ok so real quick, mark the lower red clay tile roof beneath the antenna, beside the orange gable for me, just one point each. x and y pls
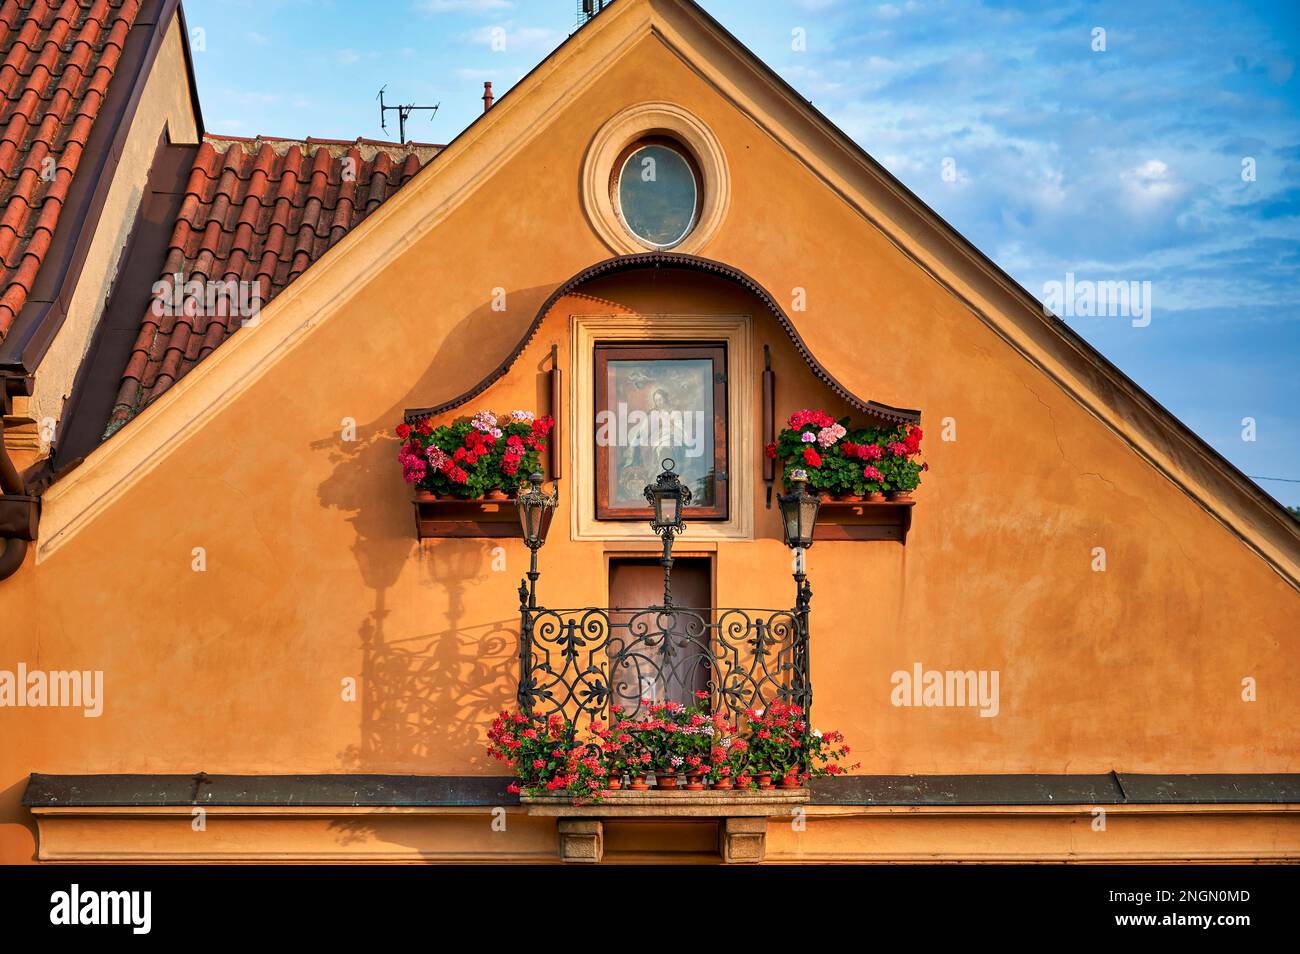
(255, 211)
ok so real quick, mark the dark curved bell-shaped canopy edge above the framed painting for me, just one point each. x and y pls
(691, 263)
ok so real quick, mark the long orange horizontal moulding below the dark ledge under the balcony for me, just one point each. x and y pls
(834, 834)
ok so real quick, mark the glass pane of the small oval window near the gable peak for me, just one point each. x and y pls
(657, 196)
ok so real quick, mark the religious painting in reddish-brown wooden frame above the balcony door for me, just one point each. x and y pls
(660, 405)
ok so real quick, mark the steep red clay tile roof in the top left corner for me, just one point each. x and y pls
(59, 58)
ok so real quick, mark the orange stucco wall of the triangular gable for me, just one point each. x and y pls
(314, 574)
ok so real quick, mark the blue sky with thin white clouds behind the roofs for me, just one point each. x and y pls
(1119, 164)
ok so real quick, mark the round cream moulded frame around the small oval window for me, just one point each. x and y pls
(631, 129)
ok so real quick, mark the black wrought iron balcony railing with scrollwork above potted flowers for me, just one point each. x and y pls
(582, 662)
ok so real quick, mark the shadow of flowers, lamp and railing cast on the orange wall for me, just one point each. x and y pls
(427, 700)
